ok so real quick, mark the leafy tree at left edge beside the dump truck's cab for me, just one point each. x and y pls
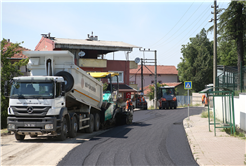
(7, 71)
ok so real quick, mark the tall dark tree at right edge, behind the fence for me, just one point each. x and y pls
(231, 28)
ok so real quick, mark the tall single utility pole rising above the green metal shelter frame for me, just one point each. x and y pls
(215, 42)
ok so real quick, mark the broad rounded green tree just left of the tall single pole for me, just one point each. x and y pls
(197, 61)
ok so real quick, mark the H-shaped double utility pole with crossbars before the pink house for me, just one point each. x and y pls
(155, 62)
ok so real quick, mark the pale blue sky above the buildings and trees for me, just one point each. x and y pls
(163, 25)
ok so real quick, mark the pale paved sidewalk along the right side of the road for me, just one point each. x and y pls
(208, 149)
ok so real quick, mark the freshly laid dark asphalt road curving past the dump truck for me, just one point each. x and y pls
(156, 137)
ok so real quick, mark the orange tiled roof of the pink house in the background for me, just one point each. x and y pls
(161, 69)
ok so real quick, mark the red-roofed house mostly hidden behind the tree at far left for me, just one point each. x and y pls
(17, 57)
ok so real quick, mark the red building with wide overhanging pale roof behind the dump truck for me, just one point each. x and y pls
(90, 56)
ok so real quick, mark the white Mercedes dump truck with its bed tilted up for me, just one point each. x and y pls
(58, 98)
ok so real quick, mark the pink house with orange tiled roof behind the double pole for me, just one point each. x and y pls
(165, 74)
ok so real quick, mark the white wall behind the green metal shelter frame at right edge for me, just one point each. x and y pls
(239, 110)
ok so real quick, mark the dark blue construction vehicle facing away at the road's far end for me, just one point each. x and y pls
(167, 98)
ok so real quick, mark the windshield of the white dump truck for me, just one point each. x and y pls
(32, 90)
